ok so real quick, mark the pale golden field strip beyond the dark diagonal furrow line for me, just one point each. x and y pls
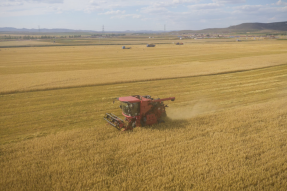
(35, 68)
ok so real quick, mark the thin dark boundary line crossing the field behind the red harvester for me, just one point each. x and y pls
(135, 81)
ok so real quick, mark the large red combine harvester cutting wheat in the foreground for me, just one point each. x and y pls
(138, 112)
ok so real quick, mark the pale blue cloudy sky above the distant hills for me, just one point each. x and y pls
(122, 15)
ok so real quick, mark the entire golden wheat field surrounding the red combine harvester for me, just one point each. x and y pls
(226, 129)
